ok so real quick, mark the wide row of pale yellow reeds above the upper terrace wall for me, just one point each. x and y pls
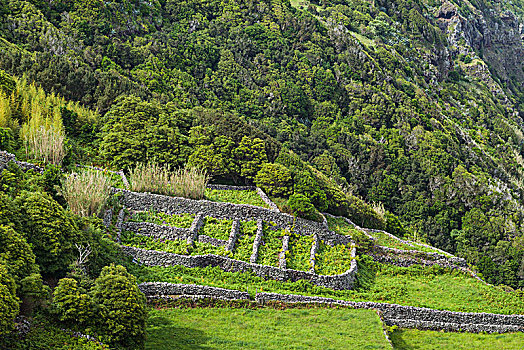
(184, 182)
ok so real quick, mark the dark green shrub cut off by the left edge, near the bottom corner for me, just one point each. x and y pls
(8, 301)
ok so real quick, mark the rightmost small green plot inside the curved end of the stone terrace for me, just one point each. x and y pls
(332, 260)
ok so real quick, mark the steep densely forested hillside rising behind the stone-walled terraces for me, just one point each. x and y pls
(413, 104)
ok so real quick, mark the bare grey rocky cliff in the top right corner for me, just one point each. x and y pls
(491, 38)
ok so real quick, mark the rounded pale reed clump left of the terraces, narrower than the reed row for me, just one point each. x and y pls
(86, 192)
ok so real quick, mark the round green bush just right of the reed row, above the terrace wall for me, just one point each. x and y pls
(275, 180)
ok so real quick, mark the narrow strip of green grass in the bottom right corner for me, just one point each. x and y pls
(415, 339)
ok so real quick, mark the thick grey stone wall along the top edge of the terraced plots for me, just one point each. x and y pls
(178, 205)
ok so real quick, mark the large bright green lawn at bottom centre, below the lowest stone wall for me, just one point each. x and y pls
(226, 328)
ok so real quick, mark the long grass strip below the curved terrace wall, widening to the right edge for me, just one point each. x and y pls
(424, 287)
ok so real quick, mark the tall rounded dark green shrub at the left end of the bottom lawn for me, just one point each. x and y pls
(120, 308)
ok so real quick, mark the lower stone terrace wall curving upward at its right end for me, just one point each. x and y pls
(157, 258)
